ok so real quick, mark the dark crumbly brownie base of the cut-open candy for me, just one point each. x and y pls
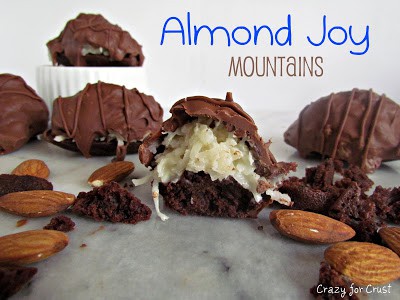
(197, 194)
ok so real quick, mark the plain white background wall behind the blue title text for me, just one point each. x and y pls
(175, 71)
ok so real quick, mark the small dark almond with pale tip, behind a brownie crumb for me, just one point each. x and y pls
(115, 171)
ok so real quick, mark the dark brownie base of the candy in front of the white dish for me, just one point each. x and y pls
(98, 148)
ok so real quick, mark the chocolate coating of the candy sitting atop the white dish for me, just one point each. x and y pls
(96, 31)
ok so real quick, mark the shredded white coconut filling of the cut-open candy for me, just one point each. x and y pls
(197, 147)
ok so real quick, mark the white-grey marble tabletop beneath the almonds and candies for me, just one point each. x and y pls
(182, 258)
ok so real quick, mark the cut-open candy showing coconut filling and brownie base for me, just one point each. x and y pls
(208, 159)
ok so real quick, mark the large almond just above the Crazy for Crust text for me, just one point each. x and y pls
(364, 263)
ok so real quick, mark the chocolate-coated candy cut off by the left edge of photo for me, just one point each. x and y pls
(23, 114)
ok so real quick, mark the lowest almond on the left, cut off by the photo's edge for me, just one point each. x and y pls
(31, 246)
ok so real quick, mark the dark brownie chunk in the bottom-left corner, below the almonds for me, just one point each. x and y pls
(14, 278)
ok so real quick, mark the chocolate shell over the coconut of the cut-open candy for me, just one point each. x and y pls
(234, 118)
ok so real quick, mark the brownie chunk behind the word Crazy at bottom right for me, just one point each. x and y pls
(332, 285)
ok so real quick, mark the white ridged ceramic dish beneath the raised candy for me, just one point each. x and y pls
(55, 81)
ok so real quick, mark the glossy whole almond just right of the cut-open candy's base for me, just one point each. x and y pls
(310, 227)
